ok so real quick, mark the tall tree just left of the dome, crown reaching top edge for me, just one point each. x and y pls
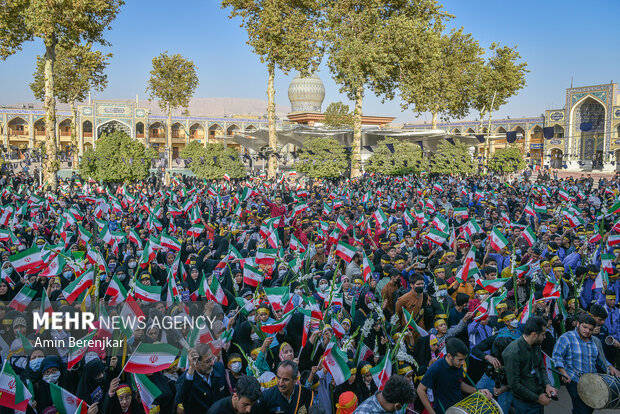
(285, 34)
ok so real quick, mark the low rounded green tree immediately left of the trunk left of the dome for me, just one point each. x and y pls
(213, 161)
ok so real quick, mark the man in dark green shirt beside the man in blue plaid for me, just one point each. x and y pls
(525, 371)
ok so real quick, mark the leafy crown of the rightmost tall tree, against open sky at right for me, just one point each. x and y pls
(501, 77)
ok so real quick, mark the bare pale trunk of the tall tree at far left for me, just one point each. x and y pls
(50, 164)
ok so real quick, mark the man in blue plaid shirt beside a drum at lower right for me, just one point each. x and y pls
(576, 354)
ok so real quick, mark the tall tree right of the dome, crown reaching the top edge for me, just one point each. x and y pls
(361, 37)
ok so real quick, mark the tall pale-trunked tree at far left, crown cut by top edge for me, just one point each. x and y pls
(68, 22)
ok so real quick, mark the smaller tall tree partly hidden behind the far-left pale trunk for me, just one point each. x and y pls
(78, 69)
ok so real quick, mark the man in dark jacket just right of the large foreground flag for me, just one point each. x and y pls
(203, 383)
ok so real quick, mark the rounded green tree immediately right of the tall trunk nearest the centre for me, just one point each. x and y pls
(406, 159)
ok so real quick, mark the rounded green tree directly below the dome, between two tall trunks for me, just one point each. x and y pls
(322, 158)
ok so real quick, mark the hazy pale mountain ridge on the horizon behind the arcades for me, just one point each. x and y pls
(214, 107)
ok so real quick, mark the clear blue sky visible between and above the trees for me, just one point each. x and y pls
(558, 39)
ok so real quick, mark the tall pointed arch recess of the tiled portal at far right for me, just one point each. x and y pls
(590, 121)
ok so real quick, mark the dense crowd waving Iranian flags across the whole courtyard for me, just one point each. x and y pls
(368, 295)
